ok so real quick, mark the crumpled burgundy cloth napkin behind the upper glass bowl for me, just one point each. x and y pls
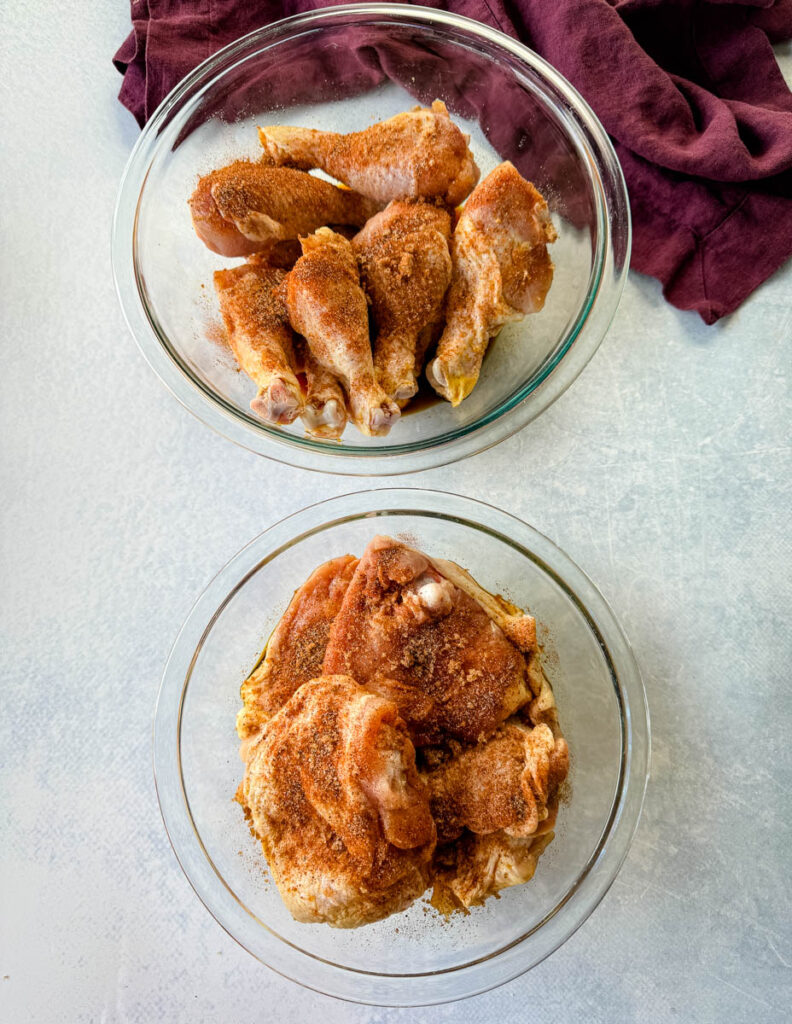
(689, 91)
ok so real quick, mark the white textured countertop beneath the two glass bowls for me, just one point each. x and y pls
(664, 473)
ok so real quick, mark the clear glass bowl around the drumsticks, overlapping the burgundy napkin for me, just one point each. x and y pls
(342, 69)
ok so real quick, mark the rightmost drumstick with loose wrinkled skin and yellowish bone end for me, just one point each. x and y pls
(502, 272)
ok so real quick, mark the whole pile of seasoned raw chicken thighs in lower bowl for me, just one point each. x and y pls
(354, 824)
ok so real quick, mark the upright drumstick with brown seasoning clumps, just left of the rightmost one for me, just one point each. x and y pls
(406, 270)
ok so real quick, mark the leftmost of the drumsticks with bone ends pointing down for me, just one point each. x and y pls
(261, 337)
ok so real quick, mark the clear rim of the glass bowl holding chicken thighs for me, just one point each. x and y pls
(585, 893)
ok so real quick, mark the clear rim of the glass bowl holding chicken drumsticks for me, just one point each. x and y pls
(576, 347)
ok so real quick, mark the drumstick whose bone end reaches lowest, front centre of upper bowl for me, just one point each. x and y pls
(328, 307)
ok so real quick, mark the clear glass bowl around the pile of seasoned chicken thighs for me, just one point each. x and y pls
(415, 958)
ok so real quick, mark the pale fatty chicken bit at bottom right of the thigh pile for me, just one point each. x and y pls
(468, 872)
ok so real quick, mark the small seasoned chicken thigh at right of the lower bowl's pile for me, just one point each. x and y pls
(509, 783)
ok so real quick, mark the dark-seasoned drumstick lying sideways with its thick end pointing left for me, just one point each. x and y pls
(248, 207)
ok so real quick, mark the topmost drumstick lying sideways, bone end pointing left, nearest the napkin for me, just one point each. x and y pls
(421, 154)
